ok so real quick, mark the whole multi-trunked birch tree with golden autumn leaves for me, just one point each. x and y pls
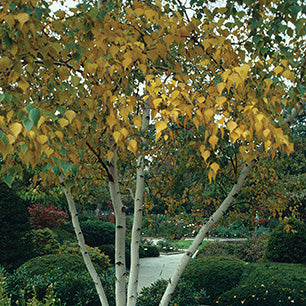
(78, 91)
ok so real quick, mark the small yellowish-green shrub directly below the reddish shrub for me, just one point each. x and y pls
(44, 242)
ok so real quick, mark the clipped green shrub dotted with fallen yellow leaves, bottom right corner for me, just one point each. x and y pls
(269, 284)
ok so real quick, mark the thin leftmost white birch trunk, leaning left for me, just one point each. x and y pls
(78, 232)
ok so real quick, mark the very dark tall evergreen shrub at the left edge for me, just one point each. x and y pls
(14, 223)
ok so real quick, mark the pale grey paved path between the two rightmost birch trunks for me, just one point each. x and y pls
(154, 268)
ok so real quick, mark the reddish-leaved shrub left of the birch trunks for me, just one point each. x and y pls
(46, 215)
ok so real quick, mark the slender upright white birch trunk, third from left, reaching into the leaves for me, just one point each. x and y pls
(138, 209)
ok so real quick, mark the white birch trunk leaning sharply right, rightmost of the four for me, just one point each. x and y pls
(203, 232)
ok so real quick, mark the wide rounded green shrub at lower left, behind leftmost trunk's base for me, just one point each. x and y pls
(65, 273)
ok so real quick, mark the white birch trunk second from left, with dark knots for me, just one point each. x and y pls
(120, 210)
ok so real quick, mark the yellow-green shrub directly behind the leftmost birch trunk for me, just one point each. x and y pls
(97, 257)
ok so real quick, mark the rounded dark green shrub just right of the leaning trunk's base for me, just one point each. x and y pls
(215, 275)
